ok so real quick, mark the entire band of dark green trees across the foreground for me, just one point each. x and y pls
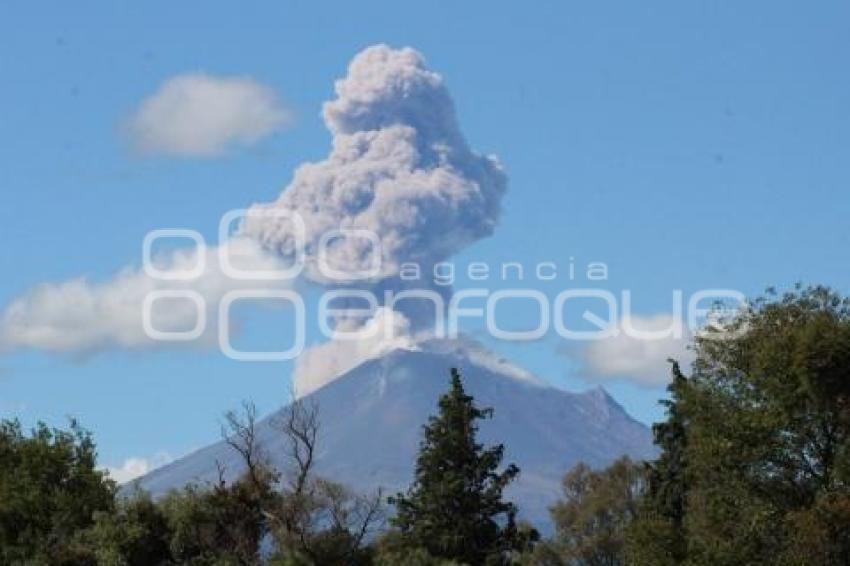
(753, 468)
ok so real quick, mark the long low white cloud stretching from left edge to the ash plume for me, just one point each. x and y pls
(82, 317)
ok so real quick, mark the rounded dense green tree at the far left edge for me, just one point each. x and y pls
(50, 490)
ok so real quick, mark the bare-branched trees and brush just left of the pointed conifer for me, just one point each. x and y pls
(305, 518)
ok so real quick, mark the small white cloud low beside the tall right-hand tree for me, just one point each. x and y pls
(639, 358)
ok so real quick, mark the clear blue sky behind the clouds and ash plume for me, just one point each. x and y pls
(686, 145)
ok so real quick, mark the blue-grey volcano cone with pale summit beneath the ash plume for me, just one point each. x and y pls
(372, 417)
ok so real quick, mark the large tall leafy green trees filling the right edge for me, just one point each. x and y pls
(755, 463)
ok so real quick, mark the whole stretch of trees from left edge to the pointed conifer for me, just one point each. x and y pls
(56, 508)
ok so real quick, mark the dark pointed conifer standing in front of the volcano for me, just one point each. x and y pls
(454, 510)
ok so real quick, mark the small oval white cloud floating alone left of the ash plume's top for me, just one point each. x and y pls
(199, 115)
